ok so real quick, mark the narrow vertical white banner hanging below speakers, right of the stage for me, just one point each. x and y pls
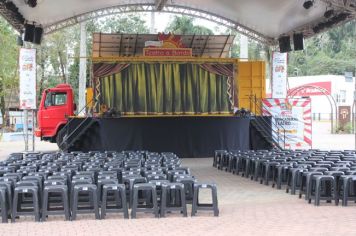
(279, 75)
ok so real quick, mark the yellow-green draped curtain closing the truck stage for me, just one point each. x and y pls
(165, 88)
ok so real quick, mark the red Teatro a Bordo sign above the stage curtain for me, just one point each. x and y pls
(167, 52)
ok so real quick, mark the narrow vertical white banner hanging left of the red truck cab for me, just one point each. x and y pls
(27, 70)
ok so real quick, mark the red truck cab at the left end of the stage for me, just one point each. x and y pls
(56, 105)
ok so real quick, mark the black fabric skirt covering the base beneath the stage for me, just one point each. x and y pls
(193, 136)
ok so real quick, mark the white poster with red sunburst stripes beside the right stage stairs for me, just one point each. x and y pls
(292, 117)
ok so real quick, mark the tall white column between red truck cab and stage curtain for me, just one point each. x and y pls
(82, 68)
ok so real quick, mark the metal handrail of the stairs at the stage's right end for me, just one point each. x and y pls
(270, 126)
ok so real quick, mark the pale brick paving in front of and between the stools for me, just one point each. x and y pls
(246, 208)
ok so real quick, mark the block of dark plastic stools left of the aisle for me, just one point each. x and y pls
(68, 184)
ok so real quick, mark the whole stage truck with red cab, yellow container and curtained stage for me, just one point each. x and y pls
(158, 93)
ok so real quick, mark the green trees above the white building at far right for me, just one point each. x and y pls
(332, 52)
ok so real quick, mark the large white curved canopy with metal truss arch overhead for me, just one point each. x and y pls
(262, 20)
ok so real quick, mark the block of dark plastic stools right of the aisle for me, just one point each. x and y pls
(318, 175)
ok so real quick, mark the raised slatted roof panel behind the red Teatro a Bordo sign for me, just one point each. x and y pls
(106, 45)
